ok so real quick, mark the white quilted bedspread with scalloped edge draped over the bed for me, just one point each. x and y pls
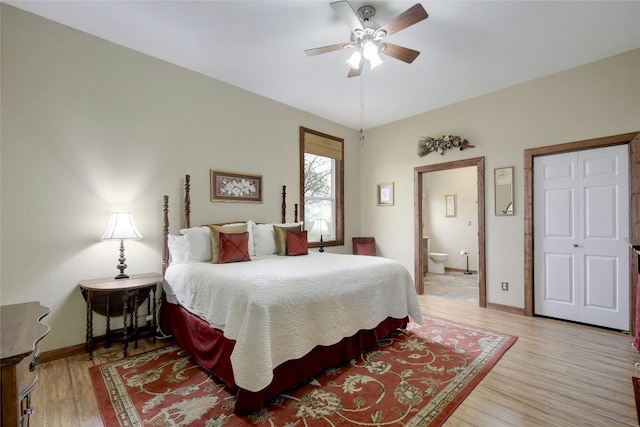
(279, 308)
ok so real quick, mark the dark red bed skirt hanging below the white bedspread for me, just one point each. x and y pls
(211, 350)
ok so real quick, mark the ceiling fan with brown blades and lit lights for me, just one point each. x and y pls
(368, 38)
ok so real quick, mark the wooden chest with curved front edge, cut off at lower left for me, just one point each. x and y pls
(21, 331)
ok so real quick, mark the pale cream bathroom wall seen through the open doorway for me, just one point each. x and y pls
(452, 234)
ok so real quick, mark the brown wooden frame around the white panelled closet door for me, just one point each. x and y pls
(633, 140)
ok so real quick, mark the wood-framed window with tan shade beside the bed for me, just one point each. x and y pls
(322, 187)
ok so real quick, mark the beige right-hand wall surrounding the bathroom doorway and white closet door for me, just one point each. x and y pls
(595, 100)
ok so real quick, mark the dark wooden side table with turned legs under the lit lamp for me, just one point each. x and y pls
(102, 295)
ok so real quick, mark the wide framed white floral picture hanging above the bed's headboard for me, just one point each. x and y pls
(235, 187)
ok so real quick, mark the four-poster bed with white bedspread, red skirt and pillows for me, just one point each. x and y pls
(264, 325)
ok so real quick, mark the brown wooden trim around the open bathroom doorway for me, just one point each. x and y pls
(418, 173)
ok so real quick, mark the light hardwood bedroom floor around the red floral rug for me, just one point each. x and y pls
(556, 374)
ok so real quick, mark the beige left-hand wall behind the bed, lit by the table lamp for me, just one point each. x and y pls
(89, 127)
